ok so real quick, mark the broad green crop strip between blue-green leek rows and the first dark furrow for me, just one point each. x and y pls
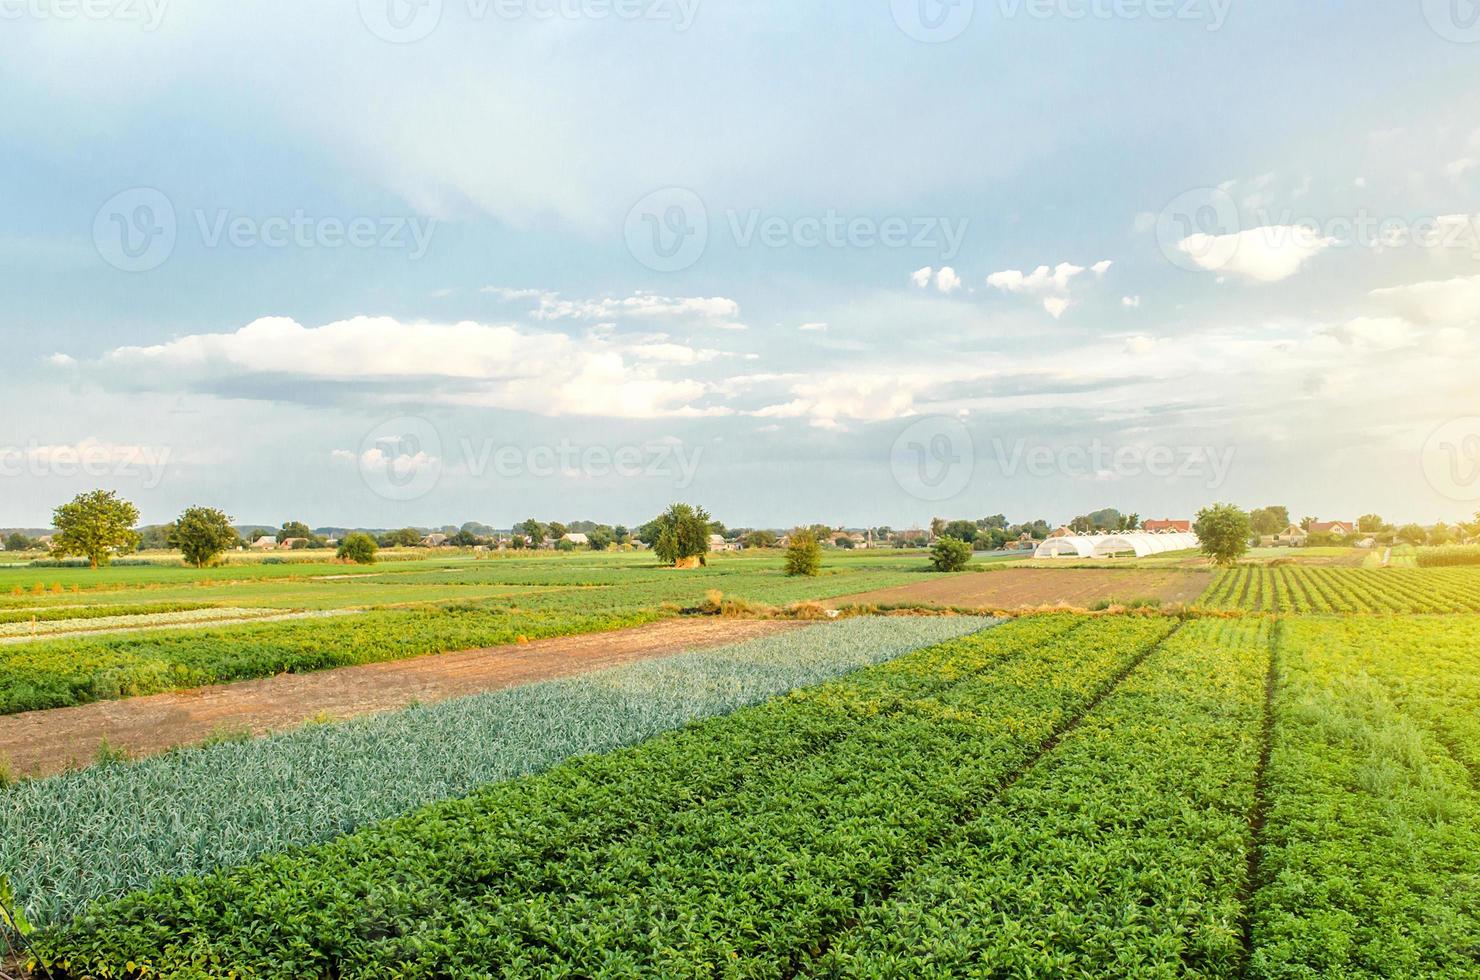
(729, 849)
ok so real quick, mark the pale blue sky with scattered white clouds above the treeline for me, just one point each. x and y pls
(384, 263)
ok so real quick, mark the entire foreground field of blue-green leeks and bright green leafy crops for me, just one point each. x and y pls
(1059, 796)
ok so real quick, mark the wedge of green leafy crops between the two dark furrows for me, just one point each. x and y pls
(1121, 855)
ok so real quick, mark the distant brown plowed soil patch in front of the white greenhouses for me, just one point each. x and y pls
(1016, 588)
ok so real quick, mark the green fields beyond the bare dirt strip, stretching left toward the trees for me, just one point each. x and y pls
(402, 611)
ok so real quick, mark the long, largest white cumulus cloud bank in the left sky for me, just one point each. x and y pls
(381, 359)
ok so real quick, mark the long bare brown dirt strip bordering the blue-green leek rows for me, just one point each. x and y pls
(47, 742)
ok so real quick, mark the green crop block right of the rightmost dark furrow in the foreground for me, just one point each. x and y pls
(1371, 855)
